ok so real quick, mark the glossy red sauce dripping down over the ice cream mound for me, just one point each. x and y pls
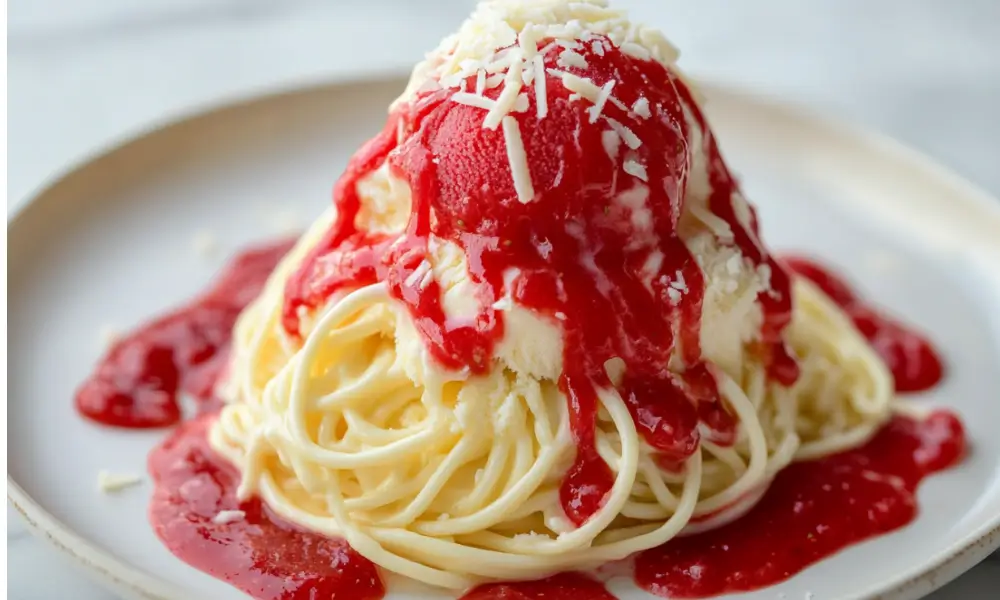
(597, 249)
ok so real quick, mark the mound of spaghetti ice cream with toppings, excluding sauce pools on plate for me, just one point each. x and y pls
(538, 329)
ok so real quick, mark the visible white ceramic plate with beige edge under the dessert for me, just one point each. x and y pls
(111, 244)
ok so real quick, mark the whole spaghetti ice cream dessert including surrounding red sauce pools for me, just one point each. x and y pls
(537, 331)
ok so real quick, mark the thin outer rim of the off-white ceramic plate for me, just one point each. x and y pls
(942, 567)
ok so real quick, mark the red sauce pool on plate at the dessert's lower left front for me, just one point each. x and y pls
(255, 551)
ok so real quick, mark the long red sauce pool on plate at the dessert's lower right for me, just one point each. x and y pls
(812, 510)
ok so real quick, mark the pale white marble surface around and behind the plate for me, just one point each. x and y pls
(84, 73)
